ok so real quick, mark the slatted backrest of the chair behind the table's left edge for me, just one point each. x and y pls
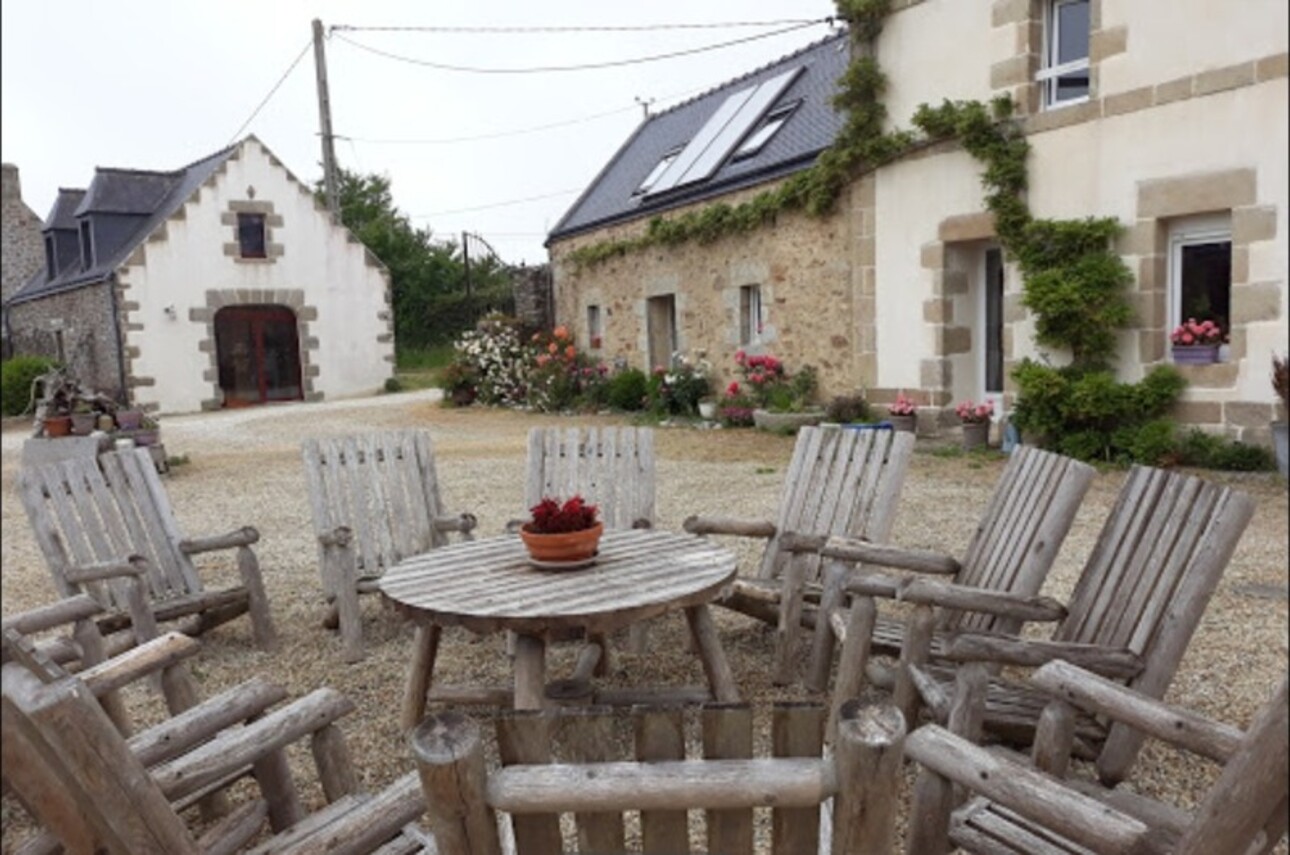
(382, 487)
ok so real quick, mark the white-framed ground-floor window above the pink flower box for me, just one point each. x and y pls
(1200, 270)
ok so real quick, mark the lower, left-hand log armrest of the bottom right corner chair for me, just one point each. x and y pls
(1026, 791)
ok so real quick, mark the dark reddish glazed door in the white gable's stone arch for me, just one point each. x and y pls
(259, 353)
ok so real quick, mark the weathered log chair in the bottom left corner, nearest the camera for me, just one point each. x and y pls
(96, 791)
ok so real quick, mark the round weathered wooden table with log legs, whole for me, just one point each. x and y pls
(490, 586)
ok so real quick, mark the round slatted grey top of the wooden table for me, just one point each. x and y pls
(490, 585)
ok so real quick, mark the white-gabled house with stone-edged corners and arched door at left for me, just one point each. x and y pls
(220, 284)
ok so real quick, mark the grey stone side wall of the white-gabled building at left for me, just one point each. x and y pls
(75, 328)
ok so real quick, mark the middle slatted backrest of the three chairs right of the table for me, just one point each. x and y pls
(1027, 519)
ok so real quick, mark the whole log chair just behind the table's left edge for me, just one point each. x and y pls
(376, 501)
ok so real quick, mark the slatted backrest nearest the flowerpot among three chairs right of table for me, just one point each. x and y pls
(839, 482)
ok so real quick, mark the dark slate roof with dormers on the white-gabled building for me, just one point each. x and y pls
(149, 198)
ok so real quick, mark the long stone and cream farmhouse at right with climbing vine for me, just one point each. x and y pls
(1173, 124)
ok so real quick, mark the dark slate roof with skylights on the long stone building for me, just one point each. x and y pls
(809, 131)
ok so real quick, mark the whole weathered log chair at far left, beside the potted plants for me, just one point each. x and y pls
(103, 523)
